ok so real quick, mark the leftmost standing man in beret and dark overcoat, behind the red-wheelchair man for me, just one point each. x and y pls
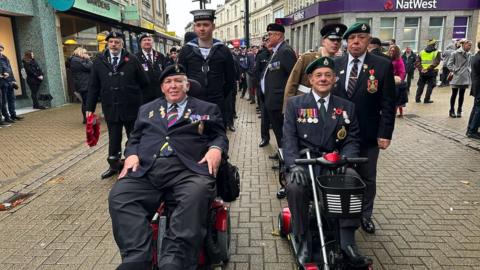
(117, 77)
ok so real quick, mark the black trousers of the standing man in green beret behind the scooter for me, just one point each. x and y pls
(368, 173)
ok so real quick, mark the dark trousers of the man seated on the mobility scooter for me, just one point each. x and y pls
(299, 198)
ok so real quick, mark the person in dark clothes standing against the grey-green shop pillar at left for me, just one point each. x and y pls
(34, 77)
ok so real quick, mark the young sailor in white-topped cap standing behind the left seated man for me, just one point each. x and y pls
(208, 61)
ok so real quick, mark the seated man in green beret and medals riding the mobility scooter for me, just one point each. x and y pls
(322, 123)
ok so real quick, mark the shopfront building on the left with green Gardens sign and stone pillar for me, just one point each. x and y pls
(53, 29)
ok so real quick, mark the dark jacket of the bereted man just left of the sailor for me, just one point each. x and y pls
(153, 70)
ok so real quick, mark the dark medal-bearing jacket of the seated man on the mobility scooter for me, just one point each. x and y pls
(319, 137)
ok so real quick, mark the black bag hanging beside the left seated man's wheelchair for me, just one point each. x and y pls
(228, 181)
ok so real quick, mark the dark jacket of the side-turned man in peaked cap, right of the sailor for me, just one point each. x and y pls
(277, 72)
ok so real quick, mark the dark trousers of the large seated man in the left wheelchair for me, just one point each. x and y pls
(133, 202)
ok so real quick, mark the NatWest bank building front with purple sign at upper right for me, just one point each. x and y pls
(410, 22)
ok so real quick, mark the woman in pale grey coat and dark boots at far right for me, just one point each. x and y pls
(459, 65)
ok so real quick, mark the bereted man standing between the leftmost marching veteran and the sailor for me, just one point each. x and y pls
(153, 63)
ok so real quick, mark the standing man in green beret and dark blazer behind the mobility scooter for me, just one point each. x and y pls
(367, 80)
